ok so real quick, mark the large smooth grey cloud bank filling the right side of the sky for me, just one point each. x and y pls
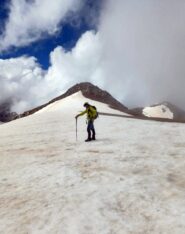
(143, 46)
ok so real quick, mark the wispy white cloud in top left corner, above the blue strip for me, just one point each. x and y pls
(30, 20)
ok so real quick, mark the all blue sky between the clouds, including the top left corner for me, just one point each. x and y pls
(67, 36)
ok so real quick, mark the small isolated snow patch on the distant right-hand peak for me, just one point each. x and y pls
(160, 111)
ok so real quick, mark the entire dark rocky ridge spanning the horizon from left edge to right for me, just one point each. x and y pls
(95, 93)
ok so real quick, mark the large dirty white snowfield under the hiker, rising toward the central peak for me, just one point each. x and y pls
(130, 181)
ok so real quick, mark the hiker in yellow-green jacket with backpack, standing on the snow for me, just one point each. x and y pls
(91, 116)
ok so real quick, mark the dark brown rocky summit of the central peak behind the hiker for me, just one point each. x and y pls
(89, 91)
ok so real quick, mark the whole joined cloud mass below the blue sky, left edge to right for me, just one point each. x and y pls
(137, 55)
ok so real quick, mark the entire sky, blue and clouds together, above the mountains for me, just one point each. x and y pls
(133, 49)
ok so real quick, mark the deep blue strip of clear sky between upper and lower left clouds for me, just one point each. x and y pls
(41, 49)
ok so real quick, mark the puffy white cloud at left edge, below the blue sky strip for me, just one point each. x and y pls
(22, 83)
